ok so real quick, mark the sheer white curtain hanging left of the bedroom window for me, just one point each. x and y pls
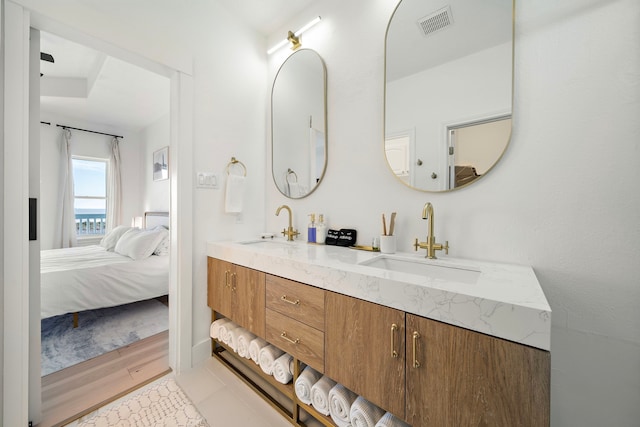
(65, 233)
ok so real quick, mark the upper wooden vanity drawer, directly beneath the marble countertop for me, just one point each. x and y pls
(296, 300)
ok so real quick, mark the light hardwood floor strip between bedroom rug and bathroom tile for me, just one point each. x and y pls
(73, 392)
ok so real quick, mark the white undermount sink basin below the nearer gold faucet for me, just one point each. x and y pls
(424, 268)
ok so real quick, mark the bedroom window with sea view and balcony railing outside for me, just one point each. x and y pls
(90, 198)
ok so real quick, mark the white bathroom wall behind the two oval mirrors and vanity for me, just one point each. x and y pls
(564, 199)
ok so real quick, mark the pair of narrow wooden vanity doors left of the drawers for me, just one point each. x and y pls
(238, 293)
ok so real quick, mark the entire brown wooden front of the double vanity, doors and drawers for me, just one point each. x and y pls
(426, 372)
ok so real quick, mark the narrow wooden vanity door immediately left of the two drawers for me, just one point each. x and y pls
(248, 299)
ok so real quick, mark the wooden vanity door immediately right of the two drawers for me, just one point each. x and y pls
(359, 341)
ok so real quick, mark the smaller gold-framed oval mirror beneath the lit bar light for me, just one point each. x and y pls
(299, 124)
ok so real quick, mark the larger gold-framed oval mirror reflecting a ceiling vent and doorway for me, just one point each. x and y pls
(448, 90)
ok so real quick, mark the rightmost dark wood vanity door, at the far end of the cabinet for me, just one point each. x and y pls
(464, 378)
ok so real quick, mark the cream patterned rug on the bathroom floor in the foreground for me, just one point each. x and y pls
(162, 404)
